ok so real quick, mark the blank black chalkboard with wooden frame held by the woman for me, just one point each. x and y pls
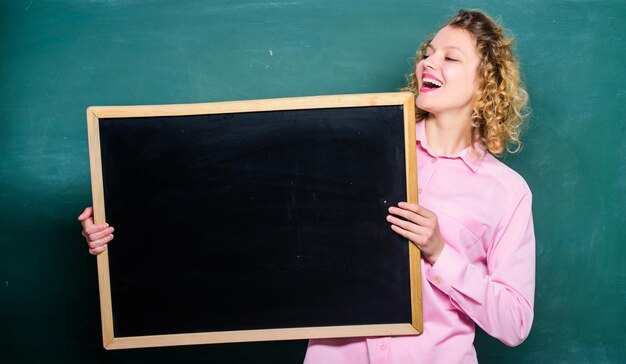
(255, 220)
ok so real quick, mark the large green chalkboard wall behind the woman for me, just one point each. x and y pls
(58, 57)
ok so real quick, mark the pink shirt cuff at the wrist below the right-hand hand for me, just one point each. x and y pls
(445, 271)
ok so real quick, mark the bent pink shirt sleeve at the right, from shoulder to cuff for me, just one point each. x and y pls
(501, 299)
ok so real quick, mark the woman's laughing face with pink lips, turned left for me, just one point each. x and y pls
(448, 74)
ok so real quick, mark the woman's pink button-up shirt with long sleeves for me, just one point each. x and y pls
(484, 275)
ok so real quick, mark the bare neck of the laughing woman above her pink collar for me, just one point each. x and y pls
(448, 135)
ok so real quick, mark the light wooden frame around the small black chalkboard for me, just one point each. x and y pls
(110, 341)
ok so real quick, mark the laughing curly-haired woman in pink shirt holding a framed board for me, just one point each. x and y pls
(474, 222)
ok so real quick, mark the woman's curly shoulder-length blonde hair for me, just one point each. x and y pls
(499, 108)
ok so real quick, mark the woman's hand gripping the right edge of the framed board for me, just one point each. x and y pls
(418, 225)
